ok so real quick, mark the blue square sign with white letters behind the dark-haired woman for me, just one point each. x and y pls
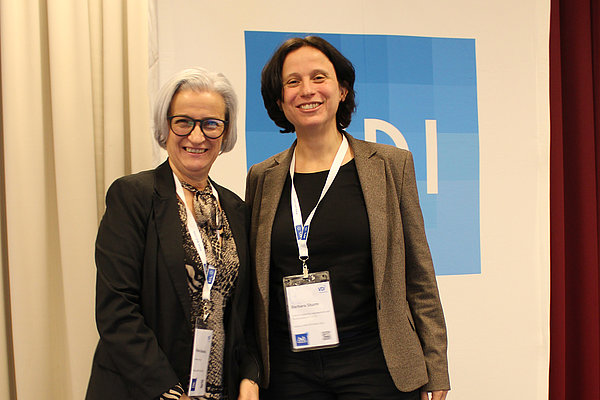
(416, 93)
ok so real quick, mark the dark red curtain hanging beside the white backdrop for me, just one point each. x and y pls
(575, 199)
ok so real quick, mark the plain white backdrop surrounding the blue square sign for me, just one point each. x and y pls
(498, 320)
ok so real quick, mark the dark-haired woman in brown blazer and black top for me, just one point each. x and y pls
(346, 299)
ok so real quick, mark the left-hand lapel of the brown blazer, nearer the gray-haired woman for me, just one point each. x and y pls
(271, 193)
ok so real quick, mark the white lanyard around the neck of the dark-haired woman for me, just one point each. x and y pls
(300, 229)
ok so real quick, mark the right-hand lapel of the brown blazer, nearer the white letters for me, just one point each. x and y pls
(371, 174)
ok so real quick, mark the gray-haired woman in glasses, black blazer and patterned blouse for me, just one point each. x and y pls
(172, 262)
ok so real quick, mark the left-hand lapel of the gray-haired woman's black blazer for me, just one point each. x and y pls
(168, 227)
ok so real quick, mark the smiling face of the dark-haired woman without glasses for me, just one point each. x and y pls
(311, 91)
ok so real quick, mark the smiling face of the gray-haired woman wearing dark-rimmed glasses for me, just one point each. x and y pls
(192, 156)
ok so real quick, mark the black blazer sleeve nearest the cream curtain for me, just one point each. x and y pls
(130, 345)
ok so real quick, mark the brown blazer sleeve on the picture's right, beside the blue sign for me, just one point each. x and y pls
(421, 284)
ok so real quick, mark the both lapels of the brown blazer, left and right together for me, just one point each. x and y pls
(372, 176)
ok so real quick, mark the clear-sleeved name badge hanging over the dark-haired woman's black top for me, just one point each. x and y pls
(310, 311)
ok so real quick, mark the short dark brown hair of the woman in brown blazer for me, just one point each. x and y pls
(272, 82)
